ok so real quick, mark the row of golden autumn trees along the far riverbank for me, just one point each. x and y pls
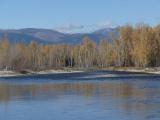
(135, 46)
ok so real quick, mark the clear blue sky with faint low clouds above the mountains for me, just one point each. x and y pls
(77, 15)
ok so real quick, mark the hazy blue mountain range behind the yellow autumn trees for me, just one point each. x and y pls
(46, 36)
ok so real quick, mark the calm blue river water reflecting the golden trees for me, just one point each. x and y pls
(80, 97)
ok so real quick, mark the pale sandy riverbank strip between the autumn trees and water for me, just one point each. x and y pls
(9, 73)
